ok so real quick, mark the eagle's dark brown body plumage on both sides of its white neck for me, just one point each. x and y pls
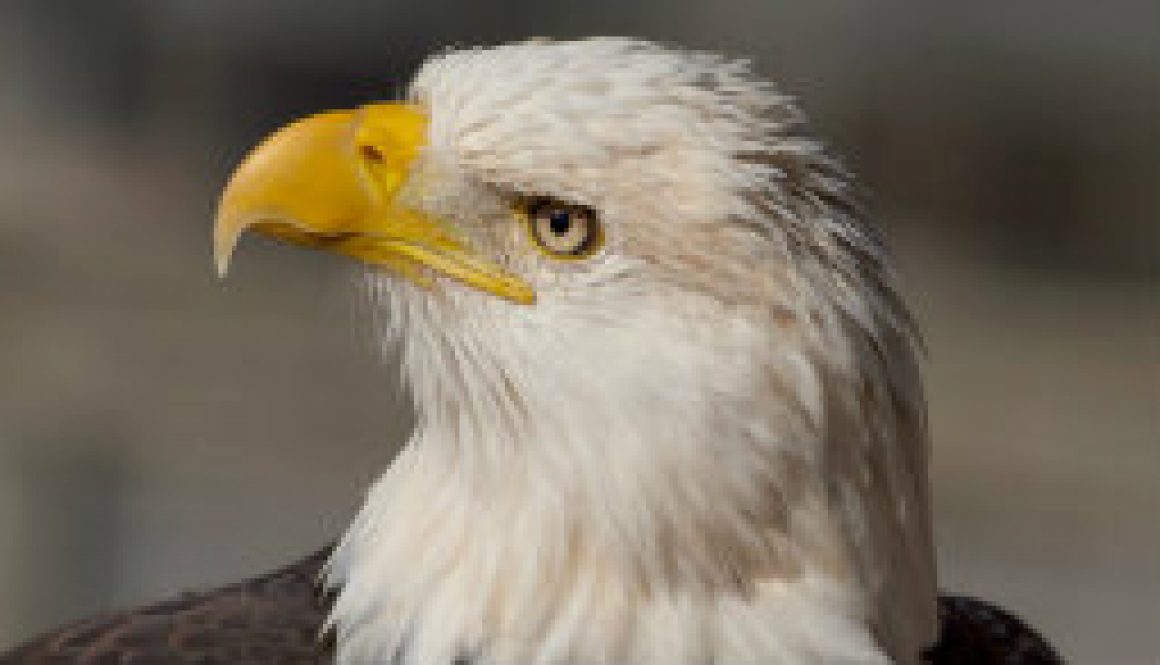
(277, 620)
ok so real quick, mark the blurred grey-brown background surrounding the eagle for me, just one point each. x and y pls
(161, 430)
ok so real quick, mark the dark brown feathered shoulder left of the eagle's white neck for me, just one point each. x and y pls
(273, 620)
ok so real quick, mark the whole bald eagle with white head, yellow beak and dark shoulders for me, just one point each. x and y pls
(668, 394)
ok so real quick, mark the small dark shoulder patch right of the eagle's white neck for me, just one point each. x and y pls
(977, 633)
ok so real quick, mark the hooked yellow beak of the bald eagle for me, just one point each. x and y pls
(332, 182)
